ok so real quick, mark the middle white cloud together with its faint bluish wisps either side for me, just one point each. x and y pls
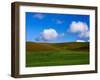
(49, 35)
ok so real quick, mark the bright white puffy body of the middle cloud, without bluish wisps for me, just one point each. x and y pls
(49, 34)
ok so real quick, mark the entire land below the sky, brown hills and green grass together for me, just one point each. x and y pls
(53, 54)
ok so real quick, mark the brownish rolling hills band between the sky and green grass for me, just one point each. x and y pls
(75, 46)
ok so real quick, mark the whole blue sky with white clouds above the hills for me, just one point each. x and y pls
(57, 28)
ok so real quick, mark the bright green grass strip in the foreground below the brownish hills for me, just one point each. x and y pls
(54, 58)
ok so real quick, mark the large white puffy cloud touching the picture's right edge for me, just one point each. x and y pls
(80, 27)
